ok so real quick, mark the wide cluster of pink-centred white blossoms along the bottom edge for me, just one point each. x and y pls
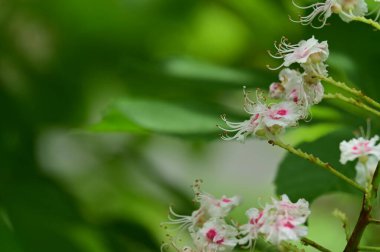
(210, 232)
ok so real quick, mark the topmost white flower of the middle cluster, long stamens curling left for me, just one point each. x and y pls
(309, 53)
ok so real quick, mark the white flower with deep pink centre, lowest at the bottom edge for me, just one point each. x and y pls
(215, 235)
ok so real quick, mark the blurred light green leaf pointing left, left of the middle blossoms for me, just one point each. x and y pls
(144, 115)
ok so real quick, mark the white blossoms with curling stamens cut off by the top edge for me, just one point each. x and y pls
(346, 9)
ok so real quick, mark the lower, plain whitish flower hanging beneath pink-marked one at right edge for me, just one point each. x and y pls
(365, 171)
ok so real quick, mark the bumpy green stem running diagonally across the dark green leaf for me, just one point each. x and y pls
(316, 161)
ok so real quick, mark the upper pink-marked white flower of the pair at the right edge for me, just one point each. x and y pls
(359, 147)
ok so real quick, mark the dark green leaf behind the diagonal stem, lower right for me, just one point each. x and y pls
(298, 178)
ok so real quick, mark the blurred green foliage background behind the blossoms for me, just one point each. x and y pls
(108, 112)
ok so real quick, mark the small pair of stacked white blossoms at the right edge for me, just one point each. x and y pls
(367, 153)
